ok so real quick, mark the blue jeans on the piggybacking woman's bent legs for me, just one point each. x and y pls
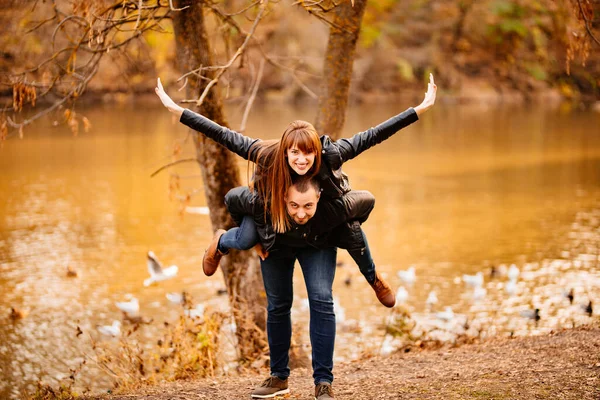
(245, 237)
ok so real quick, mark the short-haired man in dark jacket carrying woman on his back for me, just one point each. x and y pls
(308, 242)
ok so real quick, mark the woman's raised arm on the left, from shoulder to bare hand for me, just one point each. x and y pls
(232, 140)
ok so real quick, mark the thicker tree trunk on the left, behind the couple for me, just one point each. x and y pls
(220, 173)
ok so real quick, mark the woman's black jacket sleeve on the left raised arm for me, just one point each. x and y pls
(232, 140)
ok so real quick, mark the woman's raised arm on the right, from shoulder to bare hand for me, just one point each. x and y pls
(352, 147)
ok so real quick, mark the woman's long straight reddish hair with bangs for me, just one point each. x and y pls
(273, 174)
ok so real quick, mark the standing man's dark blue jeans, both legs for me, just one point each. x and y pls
(318, 268)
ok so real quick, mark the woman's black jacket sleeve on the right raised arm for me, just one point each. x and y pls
(350, 148)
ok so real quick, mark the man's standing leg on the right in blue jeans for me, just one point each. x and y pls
(318, 267)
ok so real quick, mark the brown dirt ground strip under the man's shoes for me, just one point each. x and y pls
(563, 365)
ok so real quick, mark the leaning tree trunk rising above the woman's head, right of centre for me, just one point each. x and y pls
(337, 68)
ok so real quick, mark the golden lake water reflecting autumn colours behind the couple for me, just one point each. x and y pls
(465, 188)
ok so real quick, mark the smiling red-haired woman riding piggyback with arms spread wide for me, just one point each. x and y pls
(299, 152)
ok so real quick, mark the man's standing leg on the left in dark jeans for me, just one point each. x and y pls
(277, 272)
